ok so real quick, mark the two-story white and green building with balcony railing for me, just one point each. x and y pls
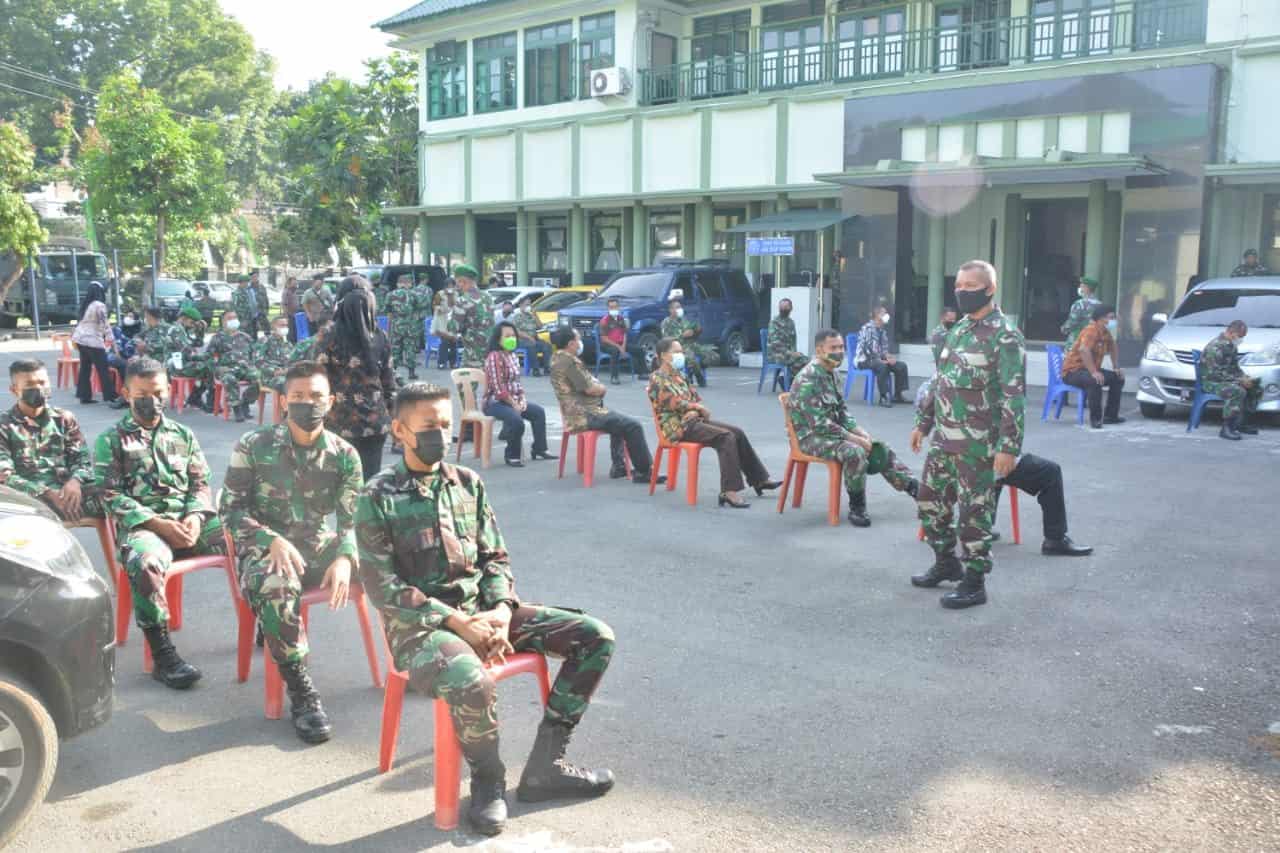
(1128, 140)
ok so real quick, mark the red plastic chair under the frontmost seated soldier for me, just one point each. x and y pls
(449, 755)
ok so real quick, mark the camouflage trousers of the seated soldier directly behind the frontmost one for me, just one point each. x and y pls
(276, 597)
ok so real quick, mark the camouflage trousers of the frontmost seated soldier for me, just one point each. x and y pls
(444, 665)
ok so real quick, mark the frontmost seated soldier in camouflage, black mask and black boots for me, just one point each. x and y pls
(435, 563)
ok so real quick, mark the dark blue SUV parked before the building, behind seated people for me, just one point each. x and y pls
(715, 295)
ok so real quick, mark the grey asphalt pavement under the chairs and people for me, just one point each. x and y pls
(779, 685)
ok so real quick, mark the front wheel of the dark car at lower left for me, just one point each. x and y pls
(29, 756)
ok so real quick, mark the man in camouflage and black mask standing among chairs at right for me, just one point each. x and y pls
(976, 418)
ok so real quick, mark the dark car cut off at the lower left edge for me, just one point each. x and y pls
(57, 653)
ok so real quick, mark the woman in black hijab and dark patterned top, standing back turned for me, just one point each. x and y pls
(356, 357)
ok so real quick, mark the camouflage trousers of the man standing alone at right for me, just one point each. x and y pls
(953, 482)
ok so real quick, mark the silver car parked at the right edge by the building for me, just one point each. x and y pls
(1168, 373)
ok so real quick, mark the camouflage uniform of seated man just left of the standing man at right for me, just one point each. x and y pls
(820, 418)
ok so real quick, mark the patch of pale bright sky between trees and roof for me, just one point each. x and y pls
(309, 39)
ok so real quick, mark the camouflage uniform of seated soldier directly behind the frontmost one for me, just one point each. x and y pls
(277, 489)
